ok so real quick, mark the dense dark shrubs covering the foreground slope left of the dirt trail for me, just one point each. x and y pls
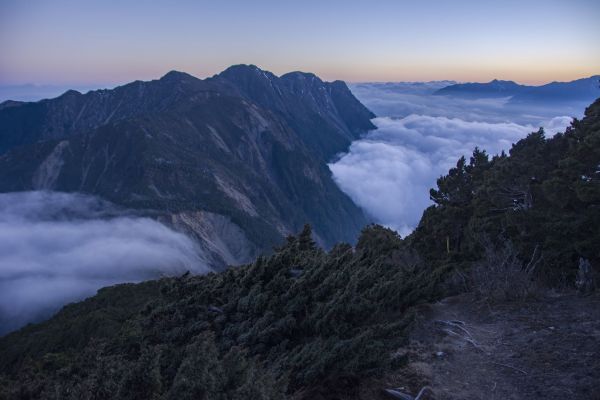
(301, 321)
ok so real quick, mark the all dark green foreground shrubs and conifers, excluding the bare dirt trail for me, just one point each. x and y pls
(305, 323)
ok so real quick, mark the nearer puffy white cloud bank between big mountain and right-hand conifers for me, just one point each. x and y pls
(390, 171)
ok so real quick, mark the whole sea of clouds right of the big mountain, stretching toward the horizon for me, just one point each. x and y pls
(419, 137)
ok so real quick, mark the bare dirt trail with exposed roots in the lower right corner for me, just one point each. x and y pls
(545, 349)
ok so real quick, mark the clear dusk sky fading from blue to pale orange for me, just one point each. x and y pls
(115, 41)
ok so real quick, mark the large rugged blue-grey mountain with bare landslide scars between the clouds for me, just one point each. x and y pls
(237, 160)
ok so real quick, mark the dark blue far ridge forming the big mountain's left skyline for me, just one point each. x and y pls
(71, 113)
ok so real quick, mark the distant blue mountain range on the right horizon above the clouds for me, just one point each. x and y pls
(583, 90)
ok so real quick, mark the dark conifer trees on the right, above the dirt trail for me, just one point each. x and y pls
(543, 198)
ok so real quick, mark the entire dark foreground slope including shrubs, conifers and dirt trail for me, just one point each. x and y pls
(308, 324)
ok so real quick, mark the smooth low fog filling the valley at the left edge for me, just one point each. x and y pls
(57, 248)
